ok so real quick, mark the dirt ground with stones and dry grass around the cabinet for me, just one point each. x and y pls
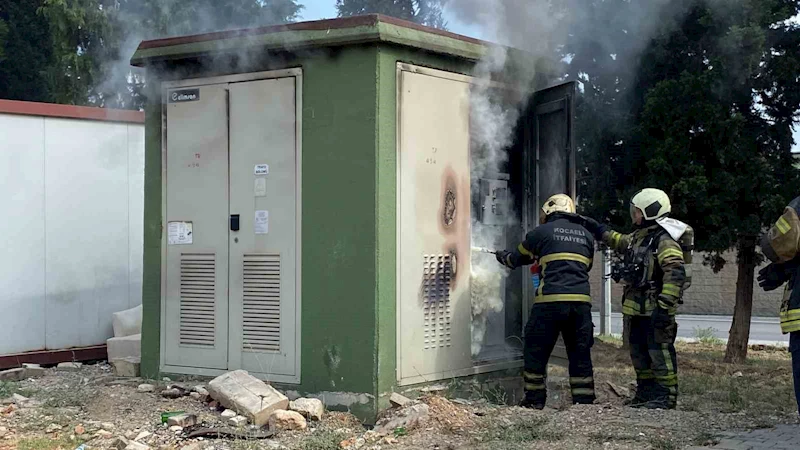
(91, 406)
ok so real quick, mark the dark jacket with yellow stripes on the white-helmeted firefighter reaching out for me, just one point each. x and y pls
(664, 266)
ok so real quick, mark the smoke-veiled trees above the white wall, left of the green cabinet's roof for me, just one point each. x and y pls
(77, 51)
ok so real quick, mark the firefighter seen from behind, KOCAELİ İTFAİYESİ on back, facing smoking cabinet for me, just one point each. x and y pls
(564, 249)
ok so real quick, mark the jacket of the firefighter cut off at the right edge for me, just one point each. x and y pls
(781, 245)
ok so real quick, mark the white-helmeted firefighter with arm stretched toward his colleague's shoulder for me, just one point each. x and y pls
(653, 273)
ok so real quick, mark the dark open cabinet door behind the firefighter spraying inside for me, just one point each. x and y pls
(553, 159)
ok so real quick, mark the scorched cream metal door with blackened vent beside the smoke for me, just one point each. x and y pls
(434, 303)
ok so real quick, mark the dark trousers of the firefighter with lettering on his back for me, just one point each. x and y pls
(573, 320)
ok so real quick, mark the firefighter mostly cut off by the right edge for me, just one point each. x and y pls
(781, 245)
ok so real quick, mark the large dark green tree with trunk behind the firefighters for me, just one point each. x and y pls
(707, 117)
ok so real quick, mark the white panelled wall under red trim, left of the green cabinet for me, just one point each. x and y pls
(71, 224)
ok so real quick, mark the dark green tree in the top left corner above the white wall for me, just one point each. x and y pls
(25, 51)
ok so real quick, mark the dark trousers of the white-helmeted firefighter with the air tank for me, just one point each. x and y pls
(654, 360)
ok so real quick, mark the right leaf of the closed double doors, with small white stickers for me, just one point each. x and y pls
(263, 257)
